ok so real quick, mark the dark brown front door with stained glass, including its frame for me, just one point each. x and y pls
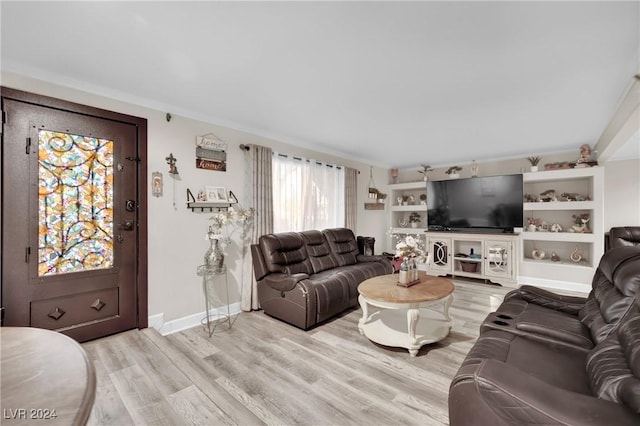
(71, 218)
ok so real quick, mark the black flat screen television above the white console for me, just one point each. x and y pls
(481, 204)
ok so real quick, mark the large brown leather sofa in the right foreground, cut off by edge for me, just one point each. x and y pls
(543, 358)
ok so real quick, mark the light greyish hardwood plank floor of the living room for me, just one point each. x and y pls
(264, 371)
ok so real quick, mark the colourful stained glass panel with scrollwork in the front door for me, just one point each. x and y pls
(75, 203)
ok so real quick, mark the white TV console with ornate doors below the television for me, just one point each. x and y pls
(495, 256)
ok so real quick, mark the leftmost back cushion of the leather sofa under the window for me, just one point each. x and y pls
(285, 252)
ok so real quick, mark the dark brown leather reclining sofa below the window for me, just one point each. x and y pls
(307, 277)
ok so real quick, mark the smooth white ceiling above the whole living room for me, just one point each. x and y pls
(394, 84)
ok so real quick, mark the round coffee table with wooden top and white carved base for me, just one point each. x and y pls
(404, 317)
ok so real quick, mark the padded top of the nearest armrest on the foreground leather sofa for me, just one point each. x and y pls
(518, 398)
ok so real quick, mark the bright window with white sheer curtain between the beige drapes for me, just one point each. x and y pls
(307, 194)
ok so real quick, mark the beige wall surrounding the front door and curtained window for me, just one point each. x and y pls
(176, 235)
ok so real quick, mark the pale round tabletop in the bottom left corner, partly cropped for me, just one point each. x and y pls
(46, 378)
